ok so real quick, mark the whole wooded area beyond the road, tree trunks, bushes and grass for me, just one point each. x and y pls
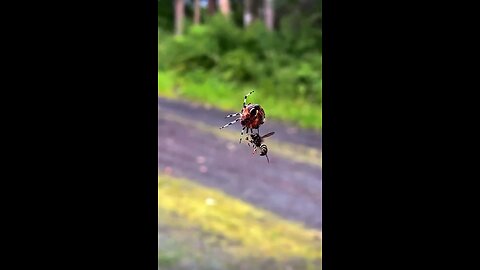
(220, 47)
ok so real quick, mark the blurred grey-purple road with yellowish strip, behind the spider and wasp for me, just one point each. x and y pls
(191, 145)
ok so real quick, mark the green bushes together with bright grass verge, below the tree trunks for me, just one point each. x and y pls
(220, 59)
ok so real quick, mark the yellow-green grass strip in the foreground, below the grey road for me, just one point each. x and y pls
(243, 230)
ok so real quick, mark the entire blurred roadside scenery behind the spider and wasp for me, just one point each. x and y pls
(220, 207)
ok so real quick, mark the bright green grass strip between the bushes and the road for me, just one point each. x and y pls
(228, 96)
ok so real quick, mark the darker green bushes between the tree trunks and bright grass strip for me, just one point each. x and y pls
(284, 64)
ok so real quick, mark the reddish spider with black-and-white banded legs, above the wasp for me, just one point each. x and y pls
(252, 116)
